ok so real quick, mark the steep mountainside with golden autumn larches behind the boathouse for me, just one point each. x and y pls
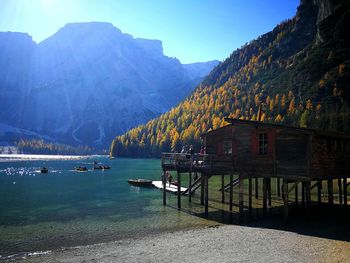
(298, 74)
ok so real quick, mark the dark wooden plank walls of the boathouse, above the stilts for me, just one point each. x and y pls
(292, 153)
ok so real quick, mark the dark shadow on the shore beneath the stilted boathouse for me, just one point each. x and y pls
(325, 221)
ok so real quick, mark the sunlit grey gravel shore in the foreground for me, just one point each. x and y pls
(216, 244)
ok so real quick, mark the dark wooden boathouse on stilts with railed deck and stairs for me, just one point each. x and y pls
(294, 157)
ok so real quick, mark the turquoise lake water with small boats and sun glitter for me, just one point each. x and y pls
(40, 212)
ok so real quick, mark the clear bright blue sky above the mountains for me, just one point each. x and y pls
(191, 30)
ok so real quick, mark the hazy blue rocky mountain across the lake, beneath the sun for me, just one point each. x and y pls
(87, 83)
